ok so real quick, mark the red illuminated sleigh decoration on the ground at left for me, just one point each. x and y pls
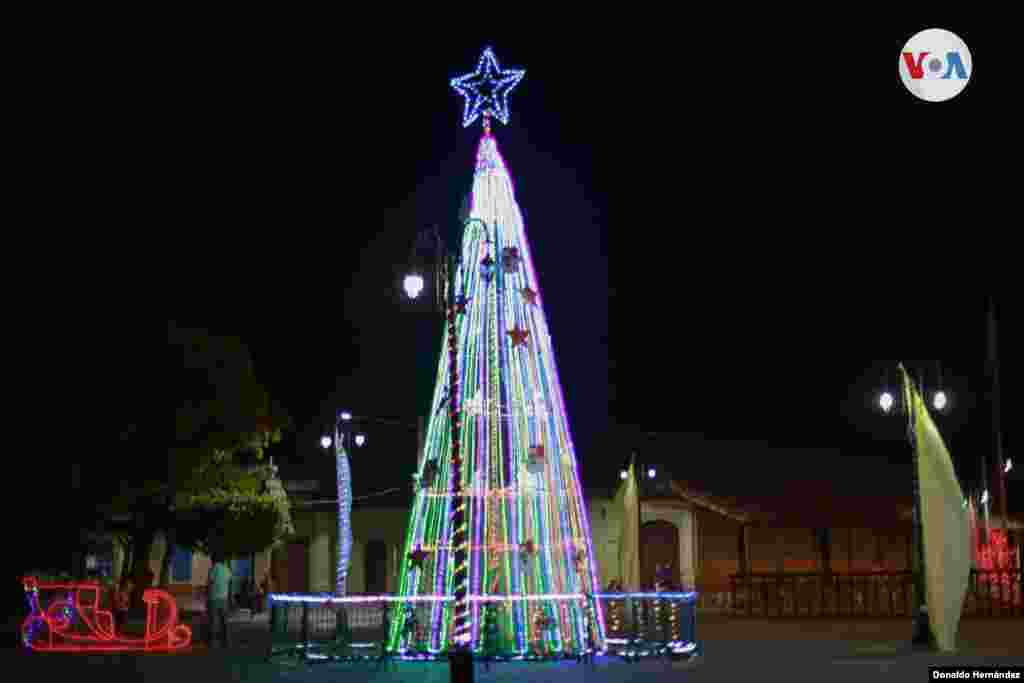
(76, 624)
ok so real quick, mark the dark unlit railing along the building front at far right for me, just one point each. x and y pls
(991, 593)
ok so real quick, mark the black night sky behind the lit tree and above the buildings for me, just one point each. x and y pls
(720, 252)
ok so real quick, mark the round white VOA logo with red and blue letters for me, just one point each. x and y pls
(935, 65)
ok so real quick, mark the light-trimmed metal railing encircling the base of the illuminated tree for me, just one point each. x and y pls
(355, 628)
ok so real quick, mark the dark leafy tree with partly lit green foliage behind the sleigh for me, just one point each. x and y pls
(188, 480)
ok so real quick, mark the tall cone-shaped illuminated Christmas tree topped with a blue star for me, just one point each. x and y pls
(499, 443)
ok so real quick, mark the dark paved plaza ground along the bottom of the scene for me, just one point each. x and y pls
(735, 650)
